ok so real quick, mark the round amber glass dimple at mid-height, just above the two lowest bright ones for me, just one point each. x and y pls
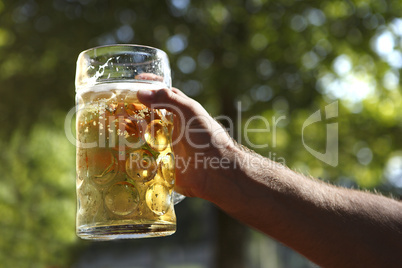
(141, 165)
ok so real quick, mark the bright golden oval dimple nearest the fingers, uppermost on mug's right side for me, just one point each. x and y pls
(156, 135)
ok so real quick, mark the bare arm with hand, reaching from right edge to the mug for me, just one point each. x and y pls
(332, 226)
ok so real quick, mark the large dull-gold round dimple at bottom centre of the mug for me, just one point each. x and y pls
(122, 198)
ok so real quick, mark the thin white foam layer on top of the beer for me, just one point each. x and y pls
(134, 86)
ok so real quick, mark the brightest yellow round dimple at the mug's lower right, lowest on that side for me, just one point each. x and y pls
(158, 199)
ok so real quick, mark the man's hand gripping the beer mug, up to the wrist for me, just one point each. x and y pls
(197, 138)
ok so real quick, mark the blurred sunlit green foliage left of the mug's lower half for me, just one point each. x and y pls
(37, 198)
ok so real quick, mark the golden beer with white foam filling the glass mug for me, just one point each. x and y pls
(125, 164)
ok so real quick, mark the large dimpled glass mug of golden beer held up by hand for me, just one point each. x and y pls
(125, 162)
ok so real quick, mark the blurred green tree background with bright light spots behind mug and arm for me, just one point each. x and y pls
(283, 57)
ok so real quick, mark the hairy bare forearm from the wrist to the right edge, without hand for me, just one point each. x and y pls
(322, 222)
